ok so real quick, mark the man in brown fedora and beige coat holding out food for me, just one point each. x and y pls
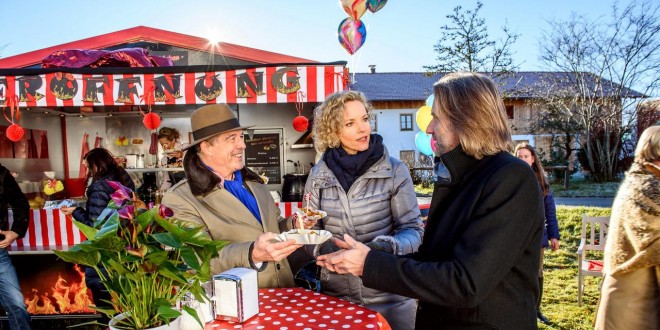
(230, 200)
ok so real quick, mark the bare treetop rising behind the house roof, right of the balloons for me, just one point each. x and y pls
(464, 45)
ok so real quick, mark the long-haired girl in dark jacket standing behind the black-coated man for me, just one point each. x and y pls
(551, 229)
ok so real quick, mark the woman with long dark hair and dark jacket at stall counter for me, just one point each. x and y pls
(101, 168)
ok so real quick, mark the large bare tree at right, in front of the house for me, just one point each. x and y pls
(609, 63)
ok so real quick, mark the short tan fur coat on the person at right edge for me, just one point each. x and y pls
(633, 240)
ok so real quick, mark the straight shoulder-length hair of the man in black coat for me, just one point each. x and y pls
(474, 107)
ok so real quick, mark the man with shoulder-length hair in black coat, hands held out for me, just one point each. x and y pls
(478, 263)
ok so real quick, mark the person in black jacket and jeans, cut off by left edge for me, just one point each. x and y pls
(10, 291)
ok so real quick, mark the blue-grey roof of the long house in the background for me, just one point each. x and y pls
(417, 86)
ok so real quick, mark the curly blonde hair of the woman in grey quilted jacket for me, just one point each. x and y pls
(328, 118)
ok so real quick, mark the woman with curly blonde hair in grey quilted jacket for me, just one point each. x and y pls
(367, 194)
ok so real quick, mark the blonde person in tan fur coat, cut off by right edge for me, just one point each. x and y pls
(630, 294)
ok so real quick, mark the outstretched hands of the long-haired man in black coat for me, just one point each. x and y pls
(347, 261)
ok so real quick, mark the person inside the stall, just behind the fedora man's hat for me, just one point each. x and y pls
(172, 156)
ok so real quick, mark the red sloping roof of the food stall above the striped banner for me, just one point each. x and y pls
(148, 34)
